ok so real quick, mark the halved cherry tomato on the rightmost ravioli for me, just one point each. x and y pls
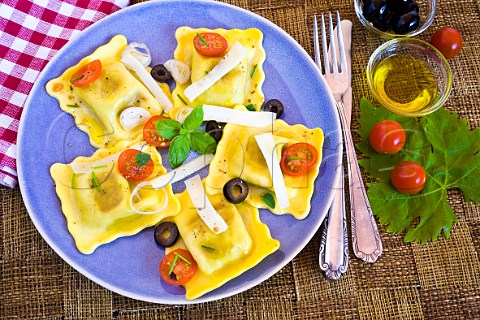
(298, 158)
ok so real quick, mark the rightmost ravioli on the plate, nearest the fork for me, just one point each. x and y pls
(238, 156)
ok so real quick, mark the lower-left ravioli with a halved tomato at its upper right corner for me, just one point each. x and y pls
(98, 215)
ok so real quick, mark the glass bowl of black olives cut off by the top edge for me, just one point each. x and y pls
(396, 18)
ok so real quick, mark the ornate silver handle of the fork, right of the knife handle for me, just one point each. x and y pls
(366, 241)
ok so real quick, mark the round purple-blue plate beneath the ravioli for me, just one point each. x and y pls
(129, 265)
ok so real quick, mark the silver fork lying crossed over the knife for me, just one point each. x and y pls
(365, 237)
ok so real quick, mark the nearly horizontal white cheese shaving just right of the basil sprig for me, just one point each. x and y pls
(243, 118)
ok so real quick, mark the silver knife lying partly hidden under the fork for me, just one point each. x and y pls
(333, 257)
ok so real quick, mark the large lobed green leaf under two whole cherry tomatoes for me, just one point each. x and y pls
(448, 150)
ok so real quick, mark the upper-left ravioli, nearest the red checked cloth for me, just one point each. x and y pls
(96, 108)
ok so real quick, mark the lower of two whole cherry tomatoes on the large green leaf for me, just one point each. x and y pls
(408, 177)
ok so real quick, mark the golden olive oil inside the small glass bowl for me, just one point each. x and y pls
(405, 83)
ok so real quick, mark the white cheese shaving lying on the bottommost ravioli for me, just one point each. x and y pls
(204, 207)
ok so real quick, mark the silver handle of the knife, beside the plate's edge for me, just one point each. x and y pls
(333, 257)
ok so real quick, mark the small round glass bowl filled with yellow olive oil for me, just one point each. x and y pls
(409, 77)
